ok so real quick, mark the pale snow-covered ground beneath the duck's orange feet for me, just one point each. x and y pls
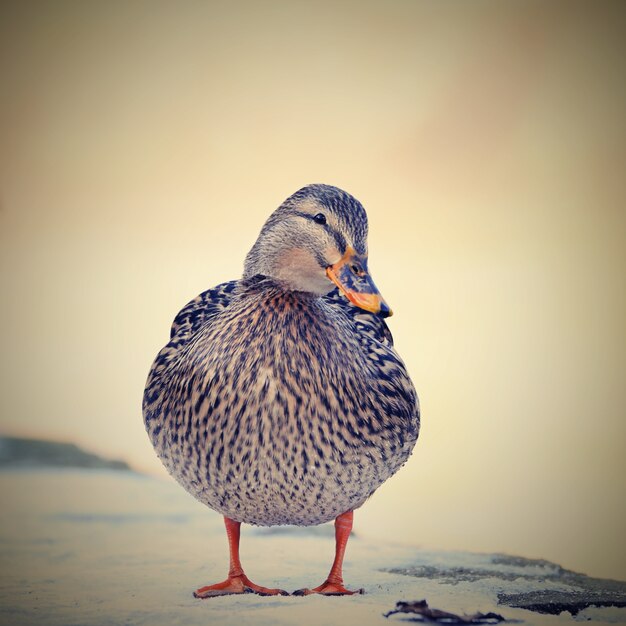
(98, 547)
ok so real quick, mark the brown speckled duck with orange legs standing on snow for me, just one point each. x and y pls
(280, 398)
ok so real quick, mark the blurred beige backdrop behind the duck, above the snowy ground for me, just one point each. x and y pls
(144, 143)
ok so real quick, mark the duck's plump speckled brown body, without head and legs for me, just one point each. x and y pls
(276, 407)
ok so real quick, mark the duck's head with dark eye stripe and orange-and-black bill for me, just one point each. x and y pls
(314, 241)
